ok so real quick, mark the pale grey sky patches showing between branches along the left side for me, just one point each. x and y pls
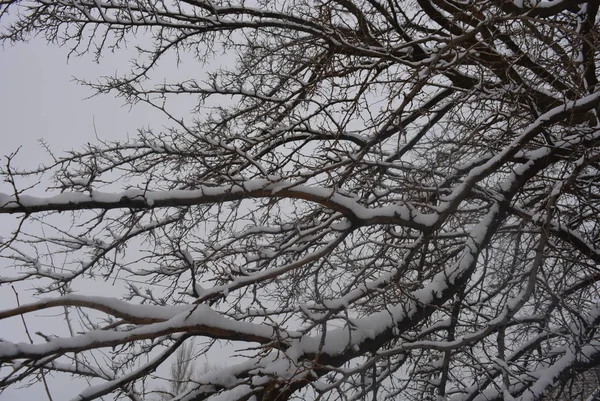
(40, 101)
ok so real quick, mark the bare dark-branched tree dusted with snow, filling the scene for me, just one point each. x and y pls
(376, 200)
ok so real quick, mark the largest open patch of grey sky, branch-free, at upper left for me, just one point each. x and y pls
(40, 100)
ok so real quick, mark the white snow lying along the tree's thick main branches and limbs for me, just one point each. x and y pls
(166, 320)
